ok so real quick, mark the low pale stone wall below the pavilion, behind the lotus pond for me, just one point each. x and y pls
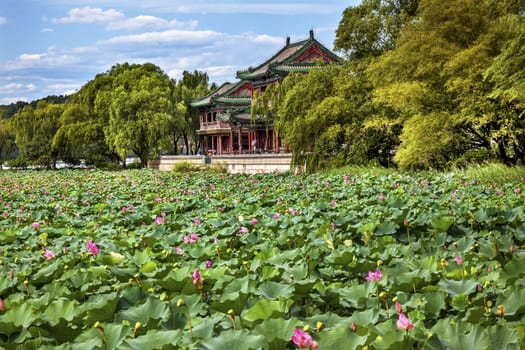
(236, 164)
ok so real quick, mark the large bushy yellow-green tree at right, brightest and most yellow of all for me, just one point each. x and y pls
(438, 71)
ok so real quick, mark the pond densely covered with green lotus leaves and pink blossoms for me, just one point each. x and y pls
(158, 260)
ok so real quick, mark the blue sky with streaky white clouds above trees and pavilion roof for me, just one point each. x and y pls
(53, 47)
